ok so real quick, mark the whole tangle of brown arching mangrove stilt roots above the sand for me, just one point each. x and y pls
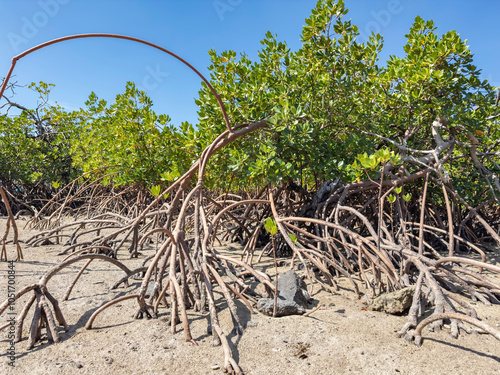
(342, 230)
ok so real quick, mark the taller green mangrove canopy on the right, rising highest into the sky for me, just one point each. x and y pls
(319, 98)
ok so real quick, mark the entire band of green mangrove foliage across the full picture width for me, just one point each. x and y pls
(323, 101)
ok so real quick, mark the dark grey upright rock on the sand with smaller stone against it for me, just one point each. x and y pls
(292, 298)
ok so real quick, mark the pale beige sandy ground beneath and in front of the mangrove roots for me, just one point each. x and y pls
(339, 338)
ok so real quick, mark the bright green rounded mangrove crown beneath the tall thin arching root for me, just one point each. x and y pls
(142, 147)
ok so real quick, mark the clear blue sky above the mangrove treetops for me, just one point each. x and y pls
(192, 27)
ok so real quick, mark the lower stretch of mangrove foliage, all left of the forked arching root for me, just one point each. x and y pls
(138, 147)
